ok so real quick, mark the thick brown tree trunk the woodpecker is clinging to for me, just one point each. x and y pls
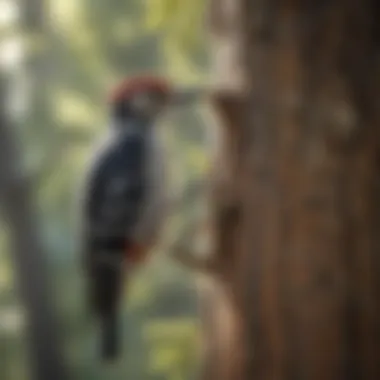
(296, 189)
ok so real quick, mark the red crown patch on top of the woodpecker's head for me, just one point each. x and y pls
(131, 86)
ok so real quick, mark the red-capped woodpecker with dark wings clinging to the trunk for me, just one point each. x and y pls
(125, 199)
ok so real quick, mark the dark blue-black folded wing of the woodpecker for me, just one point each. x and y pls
(115, 188)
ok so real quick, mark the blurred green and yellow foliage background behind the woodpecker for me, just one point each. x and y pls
(59, 58)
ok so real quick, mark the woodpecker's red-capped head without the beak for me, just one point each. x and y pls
(140, 98)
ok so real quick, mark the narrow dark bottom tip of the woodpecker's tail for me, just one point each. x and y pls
(110, 339)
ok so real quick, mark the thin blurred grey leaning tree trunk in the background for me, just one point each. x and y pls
(27, 252)
